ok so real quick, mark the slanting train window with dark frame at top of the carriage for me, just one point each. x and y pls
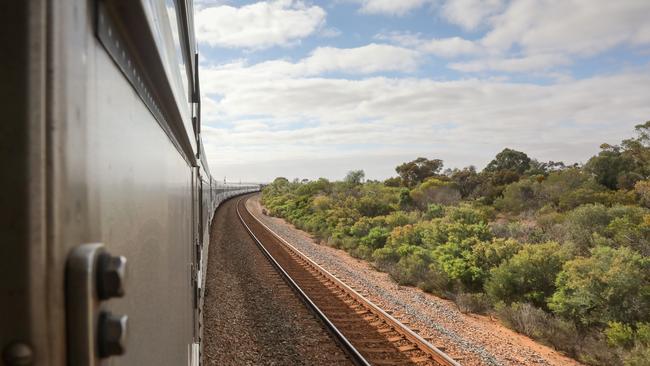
(138, 42)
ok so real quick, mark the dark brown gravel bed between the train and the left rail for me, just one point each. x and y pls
(251, 317)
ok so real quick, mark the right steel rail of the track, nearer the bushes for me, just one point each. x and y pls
(422, 343)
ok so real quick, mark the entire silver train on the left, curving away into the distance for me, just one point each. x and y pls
(107, 196)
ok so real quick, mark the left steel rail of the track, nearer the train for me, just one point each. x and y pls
(354, 354)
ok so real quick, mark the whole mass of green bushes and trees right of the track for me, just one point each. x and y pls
(560, 253)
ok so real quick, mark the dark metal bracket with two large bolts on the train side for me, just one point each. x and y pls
(93, 276)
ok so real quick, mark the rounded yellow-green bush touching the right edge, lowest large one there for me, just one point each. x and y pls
(611, 285)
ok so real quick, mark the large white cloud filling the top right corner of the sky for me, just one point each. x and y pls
(578, 27)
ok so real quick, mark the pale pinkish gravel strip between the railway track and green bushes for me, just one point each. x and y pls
(471, 339)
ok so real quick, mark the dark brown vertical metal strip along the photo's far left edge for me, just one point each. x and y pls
(22, 187)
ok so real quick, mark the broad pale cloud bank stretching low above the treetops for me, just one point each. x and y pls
(296, 119)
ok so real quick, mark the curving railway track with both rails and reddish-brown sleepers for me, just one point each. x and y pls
(368, 334)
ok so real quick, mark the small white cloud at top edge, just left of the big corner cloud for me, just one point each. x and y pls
(470, 14)
